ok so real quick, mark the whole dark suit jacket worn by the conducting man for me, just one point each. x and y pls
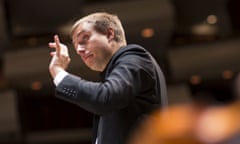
(132, 85)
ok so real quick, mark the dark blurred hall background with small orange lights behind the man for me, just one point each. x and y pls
(196, 43)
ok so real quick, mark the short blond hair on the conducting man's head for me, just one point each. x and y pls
(101, 22)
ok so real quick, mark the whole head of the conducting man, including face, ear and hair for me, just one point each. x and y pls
(97, 37)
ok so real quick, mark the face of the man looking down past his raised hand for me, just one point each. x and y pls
(93, 47)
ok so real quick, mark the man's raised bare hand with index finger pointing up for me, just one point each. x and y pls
(60, 57)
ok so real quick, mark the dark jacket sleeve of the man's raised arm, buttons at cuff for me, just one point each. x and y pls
(120, 87)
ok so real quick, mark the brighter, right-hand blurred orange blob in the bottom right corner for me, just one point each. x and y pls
(218, 124)
